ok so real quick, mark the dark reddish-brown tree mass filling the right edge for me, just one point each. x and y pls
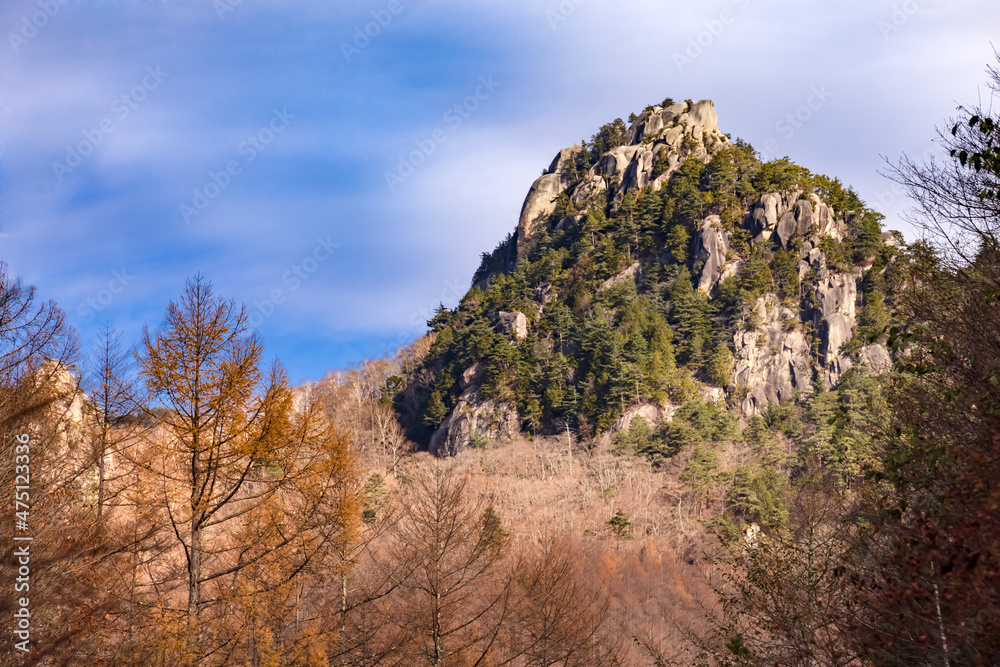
(903, 568)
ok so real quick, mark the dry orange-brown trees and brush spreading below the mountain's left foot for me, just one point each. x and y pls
(244, 523)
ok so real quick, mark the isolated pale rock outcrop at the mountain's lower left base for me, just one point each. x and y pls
(473, 417)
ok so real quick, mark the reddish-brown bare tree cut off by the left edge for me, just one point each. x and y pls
(72, 588)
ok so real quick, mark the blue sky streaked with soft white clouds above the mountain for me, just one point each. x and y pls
(340, 166)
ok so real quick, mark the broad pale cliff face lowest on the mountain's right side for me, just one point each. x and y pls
(772, 361)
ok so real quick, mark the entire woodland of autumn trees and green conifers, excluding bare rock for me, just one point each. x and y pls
(181, 502)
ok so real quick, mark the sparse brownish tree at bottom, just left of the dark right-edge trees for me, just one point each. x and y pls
(785, 595)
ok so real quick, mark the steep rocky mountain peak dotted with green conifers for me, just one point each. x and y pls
(656, 265)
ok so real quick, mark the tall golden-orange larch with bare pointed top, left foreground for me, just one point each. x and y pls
(255, 484)
